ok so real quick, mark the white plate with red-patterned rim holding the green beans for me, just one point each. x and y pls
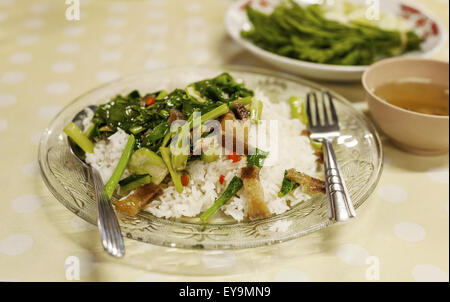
(426, 26)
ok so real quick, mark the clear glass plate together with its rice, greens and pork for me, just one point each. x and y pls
(195, 206)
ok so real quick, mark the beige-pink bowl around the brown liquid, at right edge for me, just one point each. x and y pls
(418, 133)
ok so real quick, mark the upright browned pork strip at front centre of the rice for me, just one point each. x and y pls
(255, 194)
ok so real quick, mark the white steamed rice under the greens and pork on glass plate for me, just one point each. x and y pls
(294, 151)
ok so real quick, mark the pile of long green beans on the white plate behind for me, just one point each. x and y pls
(304, 33)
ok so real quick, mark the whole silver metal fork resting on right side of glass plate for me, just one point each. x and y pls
(324, 128)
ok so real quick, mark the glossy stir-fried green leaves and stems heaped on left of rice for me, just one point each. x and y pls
(148, 120)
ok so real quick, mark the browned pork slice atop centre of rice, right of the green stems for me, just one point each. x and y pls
(236, 132)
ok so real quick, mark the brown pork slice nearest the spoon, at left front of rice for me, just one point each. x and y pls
(141, 197)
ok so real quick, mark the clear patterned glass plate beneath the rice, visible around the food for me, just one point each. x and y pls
(358, 151)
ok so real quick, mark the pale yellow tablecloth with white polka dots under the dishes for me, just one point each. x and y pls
(400, 234)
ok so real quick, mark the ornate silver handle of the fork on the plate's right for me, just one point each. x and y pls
(340, 207)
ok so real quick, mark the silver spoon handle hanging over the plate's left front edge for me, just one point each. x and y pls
(108, 225)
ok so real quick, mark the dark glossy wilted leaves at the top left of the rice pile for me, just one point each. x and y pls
(148, 115)
